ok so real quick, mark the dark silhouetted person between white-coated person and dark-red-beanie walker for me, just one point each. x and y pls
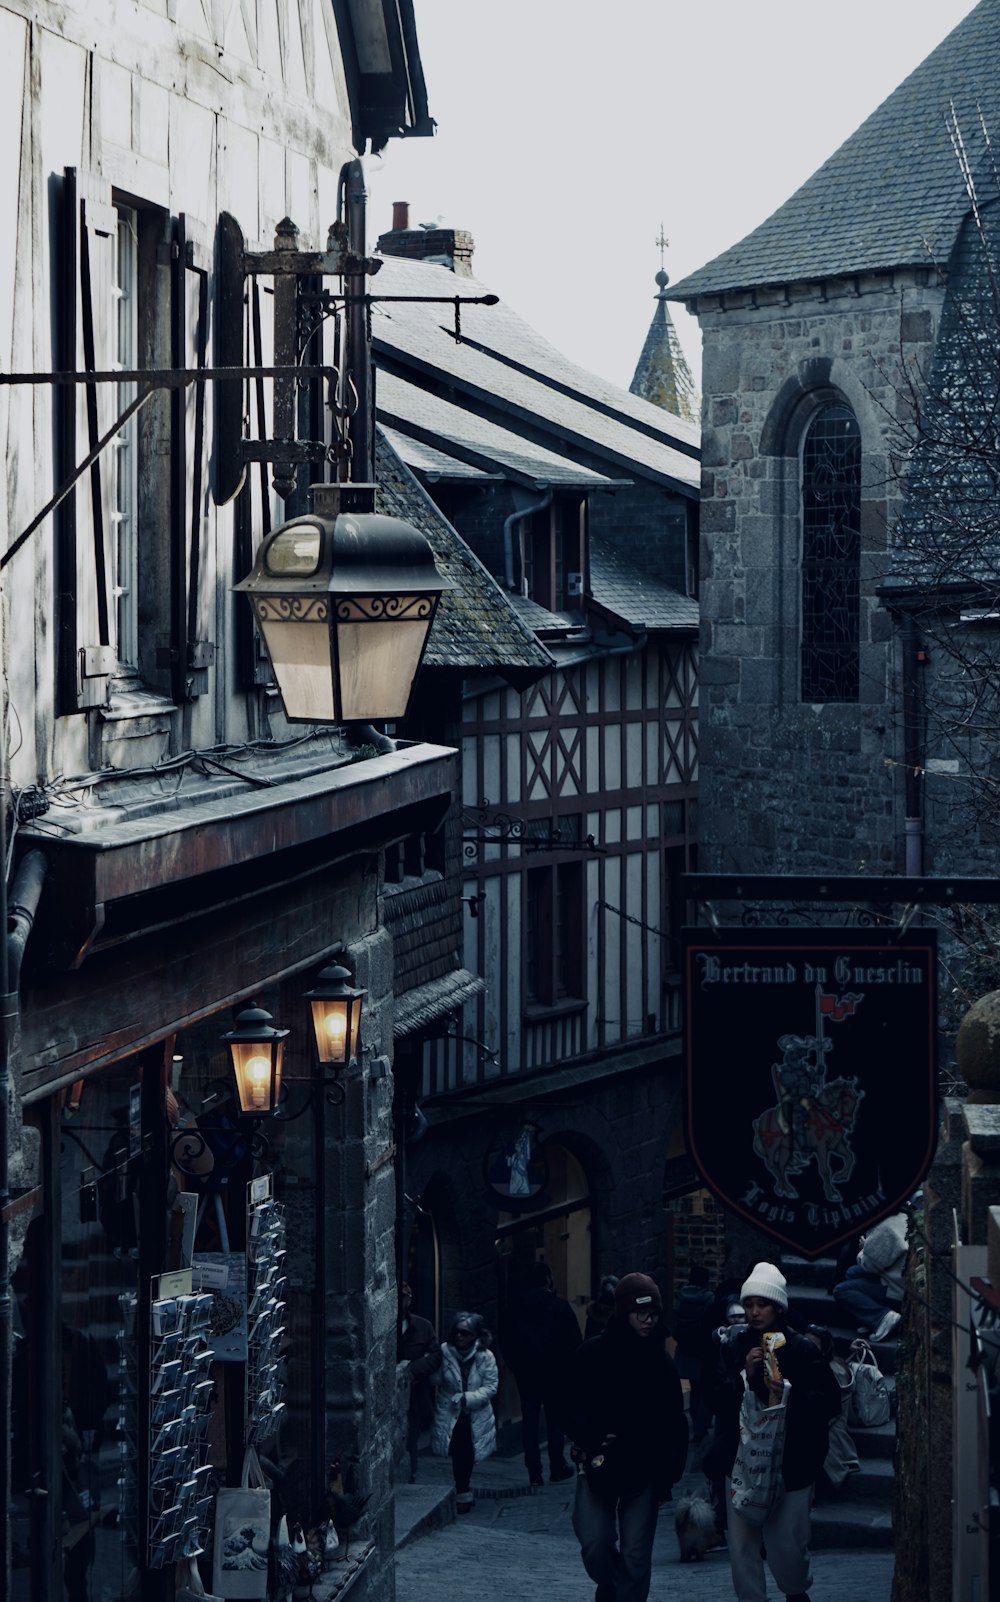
(542, 1338)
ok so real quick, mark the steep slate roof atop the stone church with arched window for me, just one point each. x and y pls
(892, 196)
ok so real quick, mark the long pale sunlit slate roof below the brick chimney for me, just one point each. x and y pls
(504, 368)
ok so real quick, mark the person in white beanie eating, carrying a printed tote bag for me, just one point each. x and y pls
(813, 1401)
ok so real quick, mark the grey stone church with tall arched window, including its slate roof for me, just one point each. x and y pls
(825, 746)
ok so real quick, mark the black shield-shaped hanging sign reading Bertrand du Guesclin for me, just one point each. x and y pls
(812, 1076)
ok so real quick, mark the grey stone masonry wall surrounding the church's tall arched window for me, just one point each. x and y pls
(783, 784)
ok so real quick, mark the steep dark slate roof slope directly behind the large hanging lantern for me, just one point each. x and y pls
(475, 626)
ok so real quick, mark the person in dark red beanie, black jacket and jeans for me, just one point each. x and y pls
(626, 1417)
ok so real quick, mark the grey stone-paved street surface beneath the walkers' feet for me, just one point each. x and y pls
(520, 1548)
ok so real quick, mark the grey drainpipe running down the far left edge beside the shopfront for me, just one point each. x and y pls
(17, 920)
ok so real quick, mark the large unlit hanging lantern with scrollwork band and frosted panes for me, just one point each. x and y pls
(345, 600)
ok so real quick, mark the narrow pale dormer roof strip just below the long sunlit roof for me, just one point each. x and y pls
(417, 417)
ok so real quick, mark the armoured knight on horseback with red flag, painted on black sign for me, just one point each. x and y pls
(815, 1117)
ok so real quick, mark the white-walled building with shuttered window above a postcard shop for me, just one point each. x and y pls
(182, 219)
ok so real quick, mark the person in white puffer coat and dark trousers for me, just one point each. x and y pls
(464, 1428)
